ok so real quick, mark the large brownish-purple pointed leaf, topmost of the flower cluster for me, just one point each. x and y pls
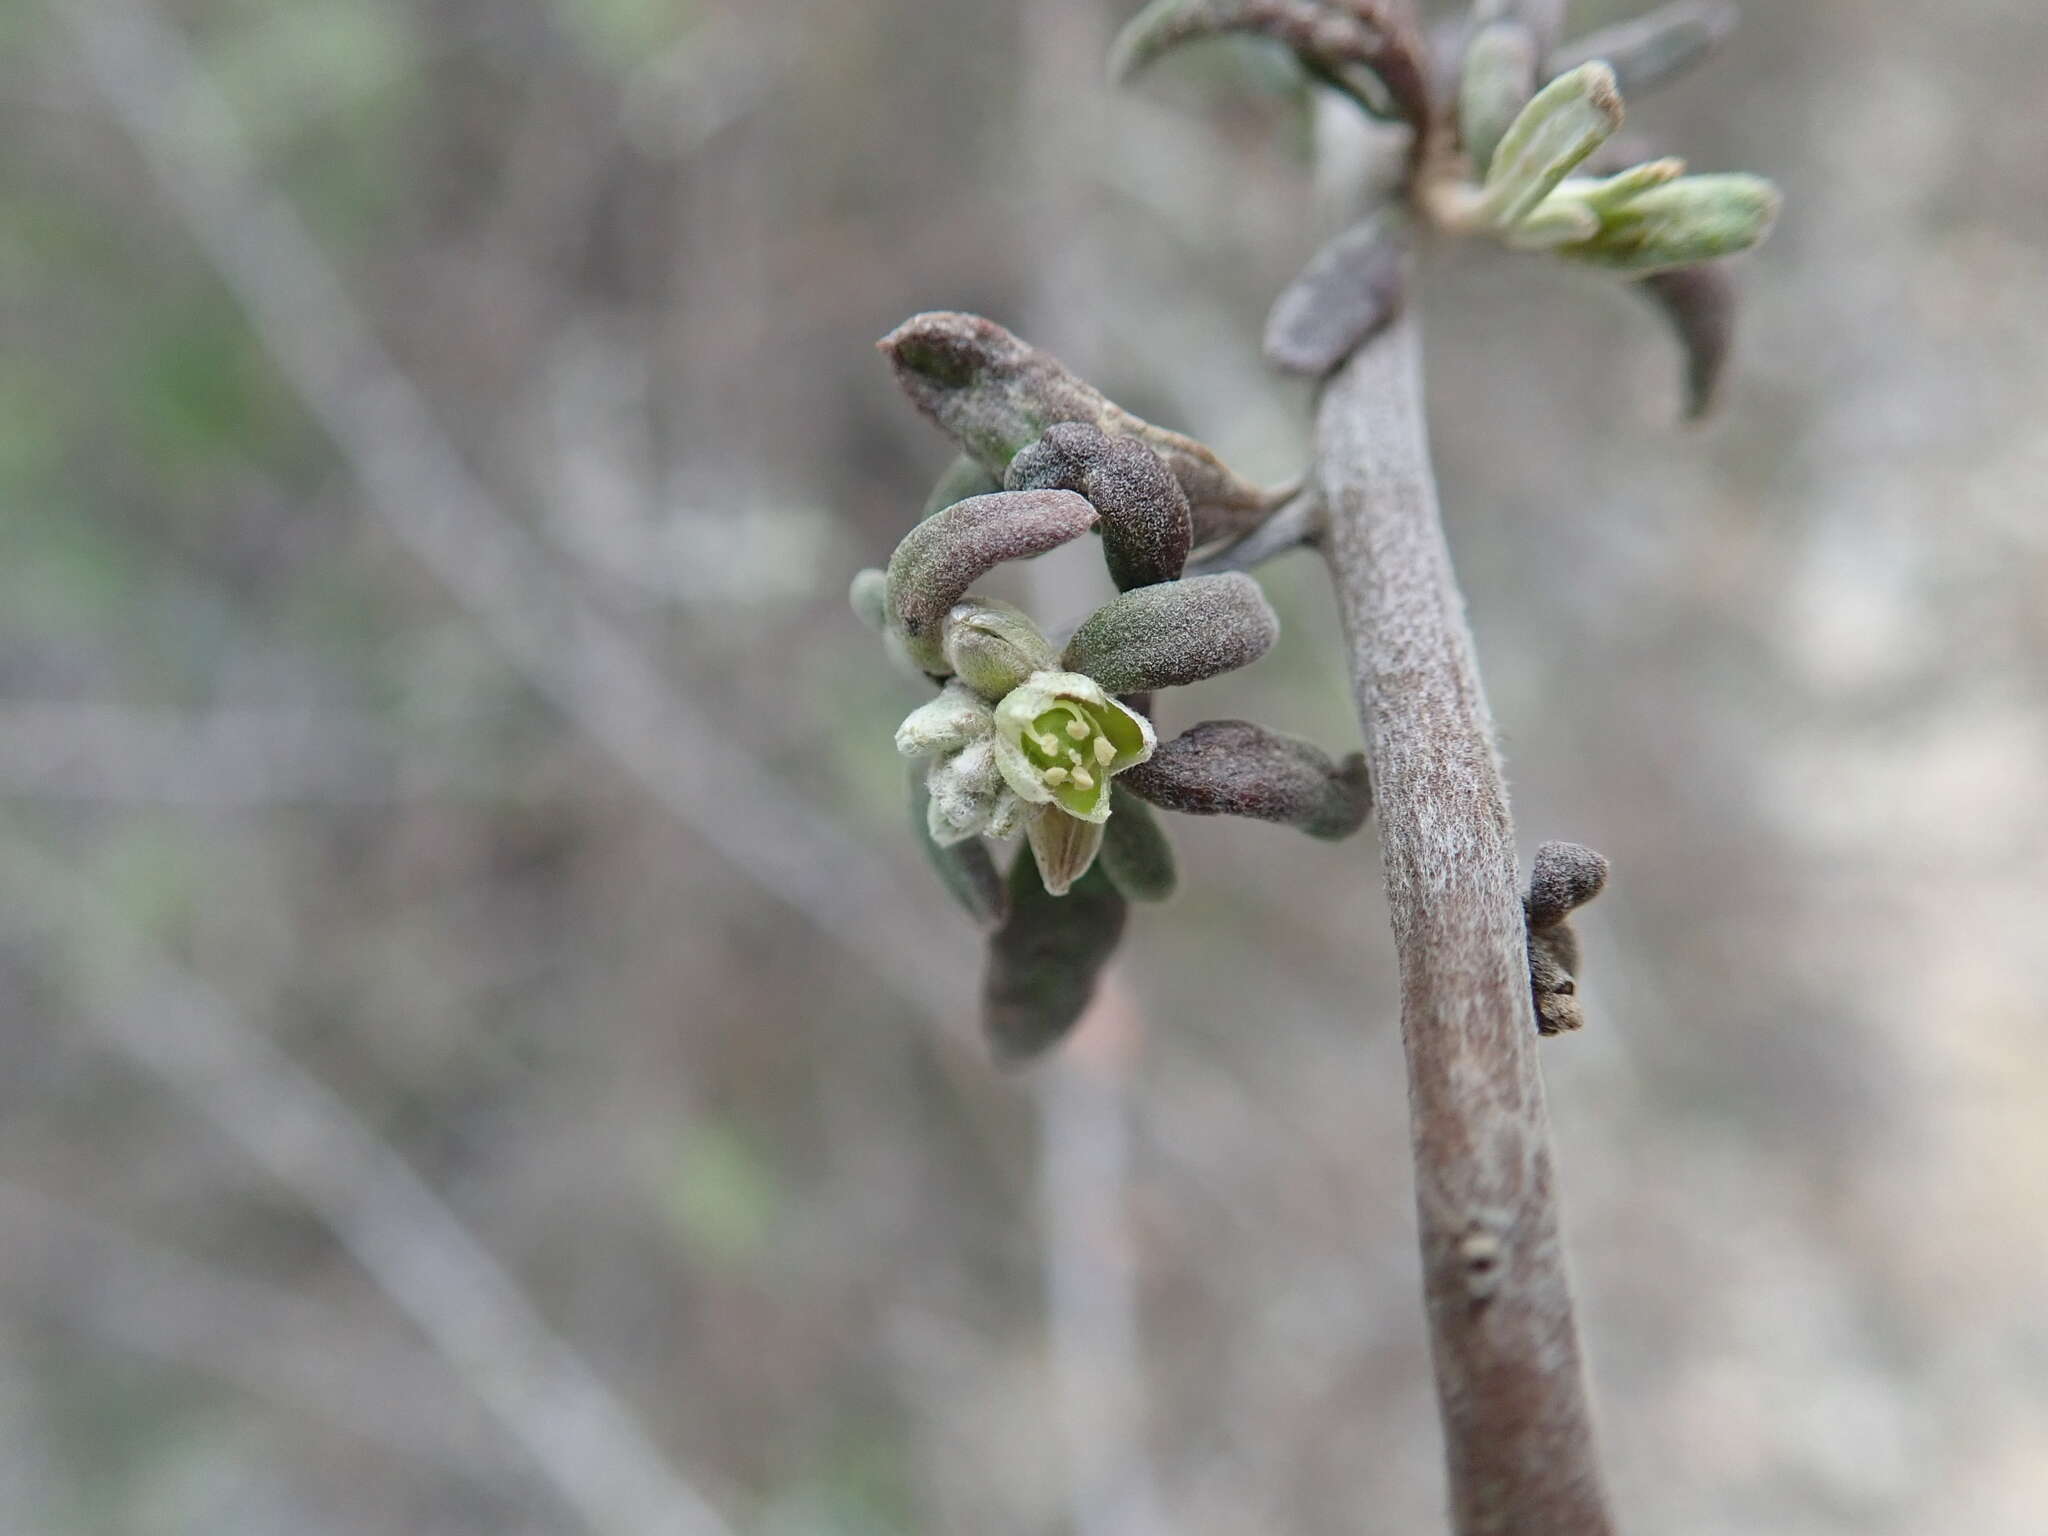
(994, 396)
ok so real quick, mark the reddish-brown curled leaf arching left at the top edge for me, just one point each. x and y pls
(1334, 40)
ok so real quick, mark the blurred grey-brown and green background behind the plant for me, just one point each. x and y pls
(480, 1048)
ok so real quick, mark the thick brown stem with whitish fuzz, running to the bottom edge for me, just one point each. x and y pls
(1510, 1381)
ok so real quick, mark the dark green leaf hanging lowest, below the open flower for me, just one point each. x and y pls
(1046, 959)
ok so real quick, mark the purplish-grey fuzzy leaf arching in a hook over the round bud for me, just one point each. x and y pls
(953, 550)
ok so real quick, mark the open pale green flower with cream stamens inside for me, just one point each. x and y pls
(1060, 740)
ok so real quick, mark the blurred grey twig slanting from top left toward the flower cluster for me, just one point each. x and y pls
(431, 501)
